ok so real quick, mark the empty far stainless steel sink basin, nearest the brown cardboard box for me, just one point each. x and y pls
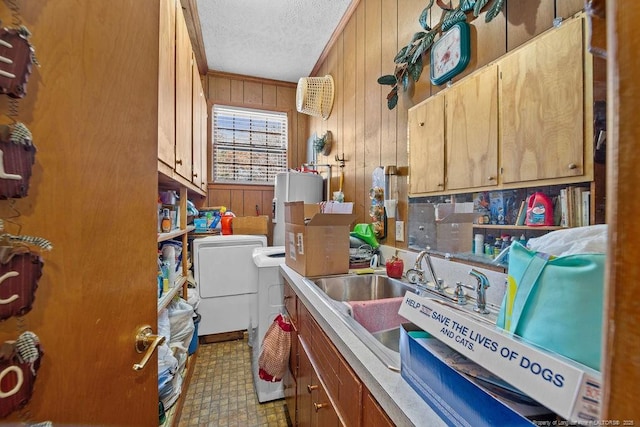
(362, 287)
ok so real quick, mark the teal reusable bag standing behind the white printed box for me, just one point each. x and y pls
(556, 303)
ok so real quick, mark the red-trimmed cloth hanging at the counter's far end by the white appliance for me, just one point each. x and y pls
(274, 354)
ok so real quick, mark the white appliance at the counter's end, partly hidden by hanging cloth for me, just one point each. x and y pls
(270, 299)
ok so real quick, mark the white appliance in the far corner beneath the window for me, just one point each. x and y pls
(227, 281)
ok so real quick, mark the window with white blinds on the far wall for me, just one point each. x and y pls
(249, 146)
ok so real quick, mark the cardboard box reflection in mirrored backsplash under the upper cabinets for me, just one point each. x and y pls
(454, 233)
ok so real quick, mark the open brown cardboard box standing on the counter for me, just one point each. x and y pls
(320, 247)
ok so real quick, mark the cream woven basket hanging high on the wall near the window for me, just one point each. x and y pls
(314, 96)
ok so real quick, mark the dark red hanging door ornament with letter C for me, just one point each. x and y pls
(20, 270)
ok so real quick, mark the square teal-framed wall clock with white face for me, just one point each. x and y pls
(450, 54)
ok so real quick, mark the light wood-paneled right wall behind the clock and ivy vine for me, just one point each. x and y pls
(364, 129)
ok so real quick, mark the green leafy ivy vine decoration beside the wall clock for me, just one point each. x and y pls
(409, 59)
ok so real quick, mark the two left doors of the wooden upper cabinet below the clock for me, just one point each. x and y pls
(453, 137)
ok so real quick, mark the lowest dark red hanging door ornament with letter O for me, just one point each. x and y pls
(19, 363)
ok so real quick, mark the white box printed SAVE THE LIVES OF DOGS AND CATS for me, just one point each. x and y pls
(566, 387)
